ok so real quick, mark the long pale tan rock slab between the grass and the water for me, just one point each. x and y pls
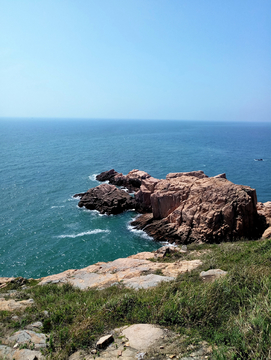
(129, 271)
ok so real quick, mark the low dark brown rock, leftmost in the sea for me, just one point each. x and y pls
(107, 199)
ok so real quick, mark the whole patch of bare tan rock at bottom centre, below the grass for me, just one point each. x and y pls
(146, 341)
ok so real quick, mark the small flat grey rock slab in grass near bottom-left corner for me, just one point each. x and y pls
(28, 337)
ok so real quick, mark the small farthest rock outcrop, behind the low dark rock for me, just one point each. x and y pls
(131, 181)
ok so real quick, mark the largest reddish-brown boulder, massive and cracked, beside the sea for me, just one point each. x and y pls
(190, 207)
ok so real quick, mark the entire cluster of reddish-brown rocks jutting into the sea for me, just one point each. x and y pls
(184, 207)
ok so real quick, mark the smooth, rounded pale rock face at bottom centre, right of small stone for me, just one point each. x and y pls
(142, 336)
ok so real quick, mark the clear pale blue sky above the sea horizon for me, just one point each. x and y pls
(136, 59)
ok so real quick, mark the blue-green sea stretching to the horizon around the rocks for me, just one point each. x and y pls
(44, 162)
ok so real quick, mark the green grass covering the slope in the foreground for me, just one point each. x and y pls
(233, 314)
